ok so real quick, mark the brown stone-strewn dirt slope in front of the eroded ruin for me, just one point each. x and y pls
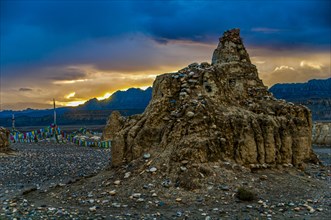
(136, 192)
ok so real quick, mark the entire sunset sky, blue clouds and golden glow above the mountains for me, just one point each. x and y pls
(77, 50)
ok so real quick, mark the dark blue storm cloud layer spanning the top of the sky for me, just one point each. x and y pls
(30, 30)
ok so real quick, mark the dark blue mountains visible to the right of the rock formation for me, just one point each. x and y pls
(315, 94)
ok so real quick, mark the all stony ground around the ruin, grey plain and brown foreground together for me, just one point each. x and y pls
(54, 181)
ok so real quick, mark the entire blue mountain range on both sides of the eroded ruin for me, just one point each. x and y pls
(315, 94)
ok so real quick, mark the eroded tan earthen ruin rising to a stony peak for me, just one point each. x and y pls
(208, 113)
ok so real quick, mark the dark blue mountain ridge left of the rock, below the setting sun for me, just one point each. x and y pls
(92, 112)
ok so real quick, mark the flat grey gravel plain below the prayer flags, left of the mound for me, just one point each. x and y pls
(42, 165)
